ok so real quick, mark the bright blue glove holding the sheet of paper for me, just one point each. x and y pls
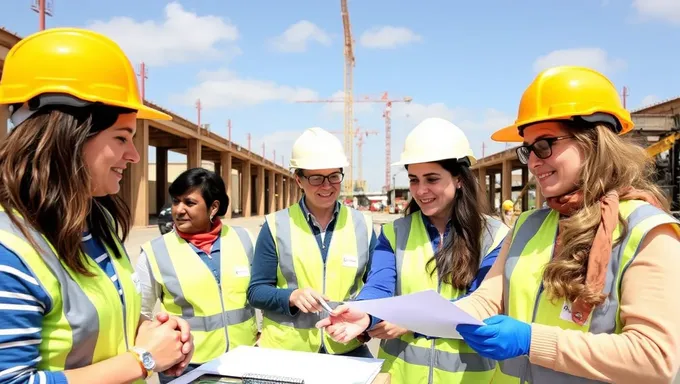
(501, 338)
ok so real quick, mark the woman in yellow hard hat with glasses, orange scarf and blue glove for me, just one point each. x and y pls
(584, 290)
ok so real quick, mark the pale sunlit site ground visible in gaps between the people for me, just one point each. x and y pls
(140, 235)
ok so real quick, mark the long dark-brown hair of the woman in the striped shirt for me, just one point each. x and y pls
(45, 181)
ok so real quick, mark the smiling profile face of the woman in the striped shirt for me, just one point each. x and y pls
(108, 153)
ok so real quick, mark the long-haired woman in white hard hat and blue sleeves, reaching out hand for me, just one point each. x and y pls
(445, 242)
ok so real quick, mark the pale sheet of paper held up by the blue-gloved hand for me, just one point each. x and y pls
(423, 312)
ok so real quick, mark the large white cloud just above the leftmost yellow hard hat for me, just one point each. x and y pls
(181, 37)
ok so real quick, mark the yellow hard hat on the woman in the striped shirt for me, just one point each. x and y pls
(70, 61)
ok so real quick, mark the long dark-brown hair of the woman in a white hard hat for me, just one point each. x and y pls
(457, 261)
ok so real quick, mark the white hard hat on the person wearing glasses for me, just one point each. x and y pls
(317, 148)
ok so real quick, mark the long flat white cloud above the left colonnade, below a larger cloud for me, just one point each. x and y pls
(223, 88)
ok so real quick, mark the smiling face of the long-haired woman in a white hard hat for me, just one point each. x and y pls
(433, 188)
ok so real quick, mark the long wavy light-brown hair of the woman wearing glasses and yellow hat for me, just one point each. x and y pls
(610, 164)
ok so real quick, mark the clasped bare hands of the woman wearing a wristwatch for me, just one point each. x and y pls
(163, 339)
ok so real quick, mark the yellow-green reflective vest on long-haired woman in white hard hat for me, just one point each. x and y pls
(418, 360)
